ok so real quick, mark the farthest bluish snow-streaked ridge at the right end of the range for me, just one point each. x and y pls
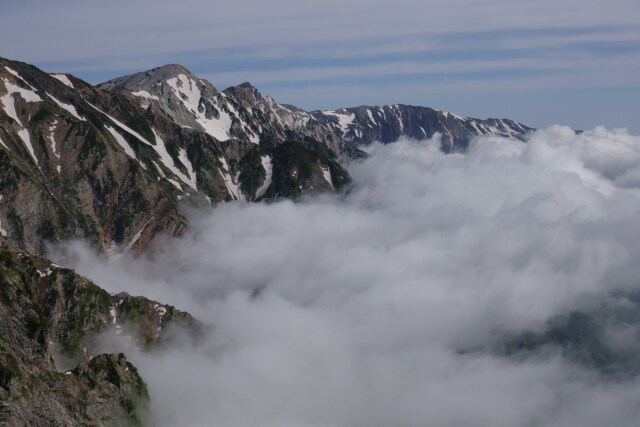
(388, 123)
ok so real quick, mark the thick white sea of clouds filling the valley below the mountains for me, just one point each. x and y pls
(380, 306)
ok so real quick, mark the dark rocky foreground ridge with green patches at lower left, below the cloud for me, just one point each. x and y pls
(48, 376)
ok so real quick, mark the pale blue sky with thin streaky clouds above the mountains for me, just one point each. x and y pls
(545, 62)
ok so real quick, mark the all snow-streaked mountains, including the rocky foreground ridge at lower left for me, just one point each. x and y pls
(116, 164)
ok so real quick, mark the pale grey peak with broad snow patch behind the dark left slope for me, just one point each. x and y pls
(239, 112)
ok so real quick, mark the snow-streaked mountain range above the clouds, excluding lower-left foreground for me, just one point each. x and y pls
(113, 163)
